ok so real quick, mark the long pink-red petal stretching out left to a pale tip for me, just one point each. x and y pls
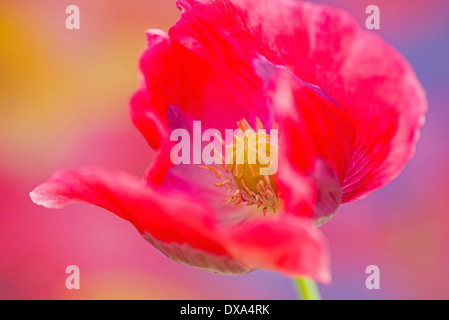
(180, 227)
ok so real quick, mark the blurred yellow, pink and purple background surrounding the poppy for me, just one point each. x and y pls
(64, 103)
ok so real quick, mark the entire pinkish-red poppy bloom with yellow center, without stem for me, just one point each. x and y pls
(347, 107)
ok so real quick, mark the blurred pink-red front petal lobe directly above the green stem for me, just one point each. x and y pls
(289, 245)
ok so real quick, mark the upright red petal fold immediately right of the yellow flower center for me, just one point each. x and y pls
(317, 143)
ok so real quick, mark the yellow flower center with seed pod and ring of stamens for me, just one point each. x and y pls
(247, 168)
